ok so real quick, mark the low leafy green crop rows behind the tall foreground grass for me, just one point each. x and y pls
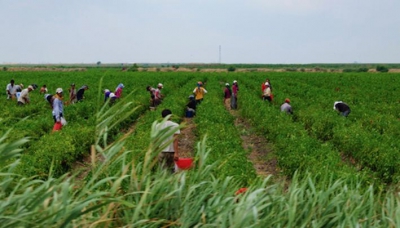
(315, 138)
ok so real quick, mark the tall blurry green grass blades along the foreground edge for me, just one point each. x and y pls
(140, 195)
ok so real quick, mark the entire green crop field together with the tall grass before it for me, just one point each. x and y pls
(338, 171)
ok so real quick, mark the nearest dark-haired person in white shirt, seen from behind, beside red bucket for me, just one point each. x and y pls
(171, 153)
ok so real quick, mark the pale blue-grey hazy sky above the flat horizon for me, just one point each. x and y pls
(200, 31)
